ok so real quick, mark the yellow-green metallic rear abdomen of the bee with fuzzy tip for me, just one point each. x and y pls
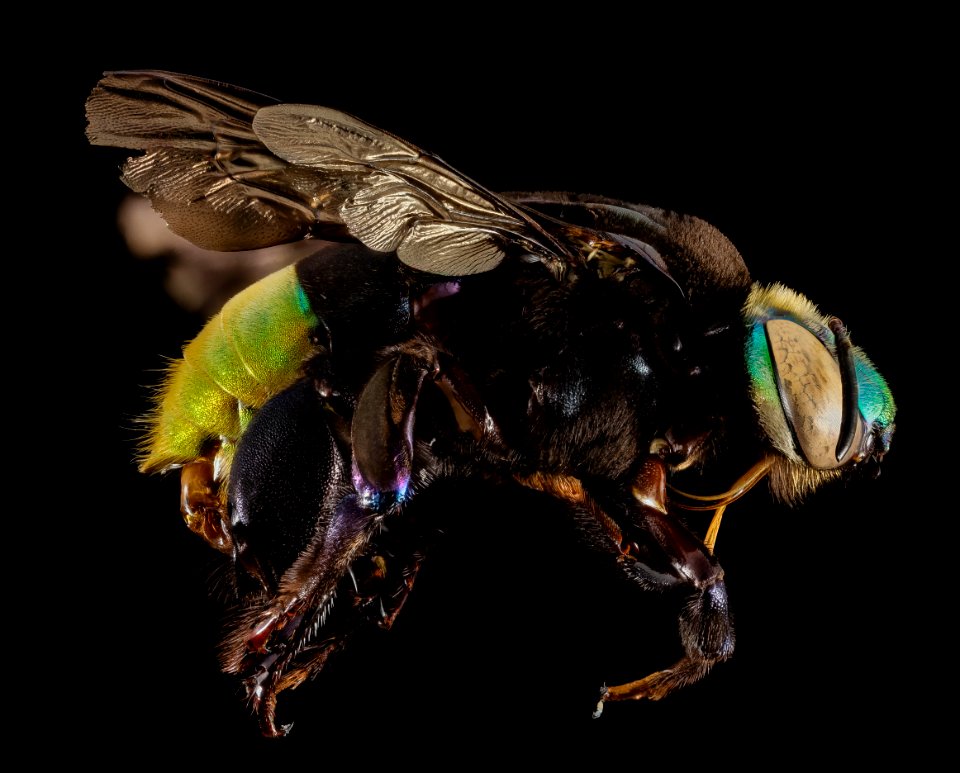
(249, 352)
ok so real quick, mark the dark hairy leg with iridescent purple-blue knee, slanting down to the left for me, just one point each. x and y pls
(265, 646)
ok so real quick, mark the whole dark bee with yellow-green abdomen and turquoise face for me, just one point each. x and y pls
(612, 358)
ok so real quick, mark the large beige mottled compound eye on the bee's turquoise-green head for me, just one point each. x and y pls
(811, 391)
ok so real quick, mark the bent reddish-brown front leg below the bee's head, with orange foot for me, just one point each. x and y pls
(684, 562)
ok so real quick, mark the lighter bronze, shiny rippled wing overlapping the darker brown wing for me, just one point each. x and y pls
(403, 199)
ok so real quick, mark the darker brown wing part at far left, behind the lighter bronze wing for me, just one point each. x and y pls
(204, 169)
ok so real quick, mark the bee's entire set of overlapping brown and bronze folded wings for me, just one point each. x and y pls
(230, 169)
